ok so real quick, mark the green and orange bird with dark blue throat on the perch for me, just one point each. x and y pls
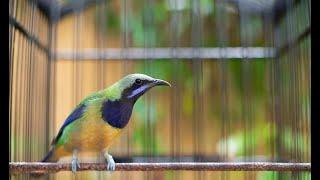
(98, 119)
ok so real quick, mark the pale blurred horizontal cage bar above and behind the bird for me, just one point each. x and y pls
(167, 53)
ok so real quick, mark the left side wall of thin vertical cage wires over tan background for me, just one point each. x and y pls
(26, 44)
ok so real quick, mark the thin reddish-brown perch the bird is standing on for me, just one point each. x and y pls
(36, 167)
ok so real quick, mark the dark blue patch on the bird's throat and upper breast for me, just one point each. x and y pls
(117, 113)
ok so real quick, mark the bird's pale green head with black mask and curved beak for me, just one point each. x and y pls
(133, 86)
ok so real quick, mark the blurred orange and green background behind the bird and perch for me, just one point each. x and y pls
(239, 69)
